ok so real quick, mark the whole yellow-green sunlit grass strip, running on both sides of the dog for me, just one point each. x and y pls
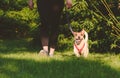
(108, 59)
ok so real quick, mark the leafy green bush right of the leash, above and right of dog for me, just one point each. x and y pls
(98, 23)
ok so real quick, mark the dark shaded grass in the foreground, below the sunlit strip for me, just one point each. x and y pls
(69, 68)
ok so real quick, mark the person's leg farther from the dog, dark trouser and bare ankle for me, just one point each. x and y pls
(44, 28)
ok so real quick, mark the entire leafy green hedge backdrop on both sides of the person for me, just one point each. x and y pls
(99, 19)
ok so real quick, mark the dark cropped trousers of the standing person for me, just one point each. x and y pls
(50, 12)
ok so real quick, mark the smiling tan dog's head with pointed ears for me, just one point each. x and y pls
(79, 36)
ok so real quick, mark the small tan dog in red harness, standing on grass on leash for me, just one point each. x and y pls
(81, 43)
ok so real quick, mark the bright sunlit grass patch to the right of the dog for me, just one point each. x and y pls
(107, 59)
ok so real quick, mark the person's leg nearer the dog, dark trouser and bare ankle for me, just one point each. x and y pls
(56, 11)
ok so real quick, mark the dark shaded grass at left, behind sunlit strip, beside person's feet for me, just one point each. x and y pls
(14, 46)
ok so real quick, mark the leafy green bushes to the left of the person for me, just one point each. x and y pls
(17, 20)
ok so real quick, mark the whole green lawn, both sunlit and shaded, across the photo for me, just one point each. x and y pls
(18, 60)
